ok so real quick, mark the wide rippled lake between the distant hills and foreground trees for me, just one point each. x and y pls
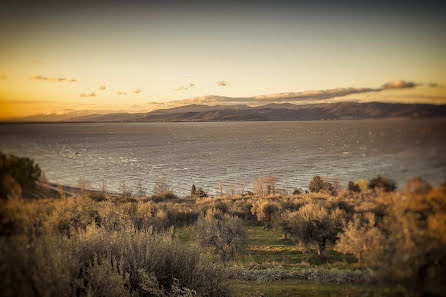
(205, 153)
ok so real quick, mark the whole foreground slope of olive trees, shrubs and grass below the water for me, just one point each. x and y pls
(366, 240)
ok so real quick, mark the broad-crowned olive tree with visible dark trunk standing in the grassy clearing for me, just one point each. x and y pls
(315, 223)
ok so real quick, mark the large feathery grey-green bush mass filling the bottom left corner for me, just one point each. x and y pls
(101, 263)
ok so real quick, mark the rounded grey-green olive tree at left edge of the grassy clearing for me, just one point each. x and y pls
(221, 231)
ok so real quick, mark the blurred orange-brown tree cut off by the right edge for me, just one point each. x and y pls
(416, 237)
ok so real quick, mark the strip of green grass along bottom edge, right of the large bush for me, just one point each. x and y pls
(295, 288)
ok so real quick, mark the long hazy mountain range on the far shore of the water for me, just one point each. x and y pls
(270, 112)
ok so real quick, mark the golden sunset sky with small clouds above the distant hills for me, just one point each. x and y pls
(136, 56)
